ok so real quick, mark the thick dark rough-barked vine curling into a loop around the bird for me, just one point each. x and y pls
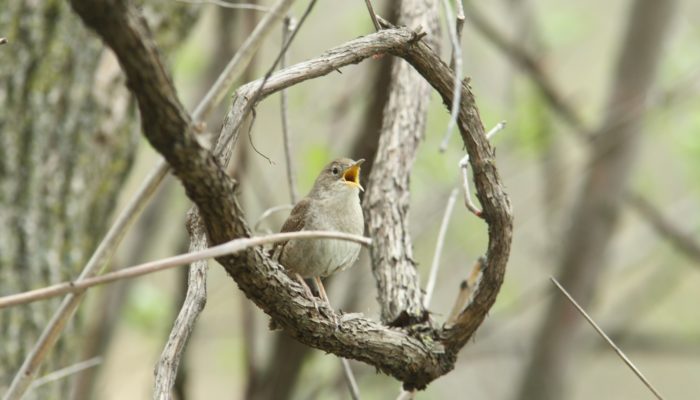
(414, 358)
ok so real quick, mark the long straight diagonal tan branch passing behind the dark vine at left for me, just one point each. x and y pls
(116, 232)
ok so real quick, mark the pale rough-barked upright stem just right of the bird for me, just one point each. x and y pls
(387, 201)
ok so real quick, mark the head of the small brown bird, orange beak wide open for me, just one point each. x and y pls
(339, 176)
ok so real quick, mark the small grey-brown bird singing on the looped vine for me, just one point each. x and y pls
(332, 204)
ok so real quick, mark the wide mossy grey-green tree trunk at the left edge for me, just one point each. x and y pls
(67, 143)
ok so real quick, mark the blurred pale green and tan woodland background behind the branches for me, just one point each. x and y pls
(555, 71)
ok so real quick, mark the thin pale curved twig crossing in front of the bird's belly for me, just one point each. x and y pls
(231, 247)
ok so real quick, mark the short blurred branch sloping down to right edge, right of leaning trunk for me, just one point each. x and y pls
(683, 241)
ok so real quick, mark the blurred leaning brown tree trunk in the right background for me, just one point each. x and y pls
(595, 213)
